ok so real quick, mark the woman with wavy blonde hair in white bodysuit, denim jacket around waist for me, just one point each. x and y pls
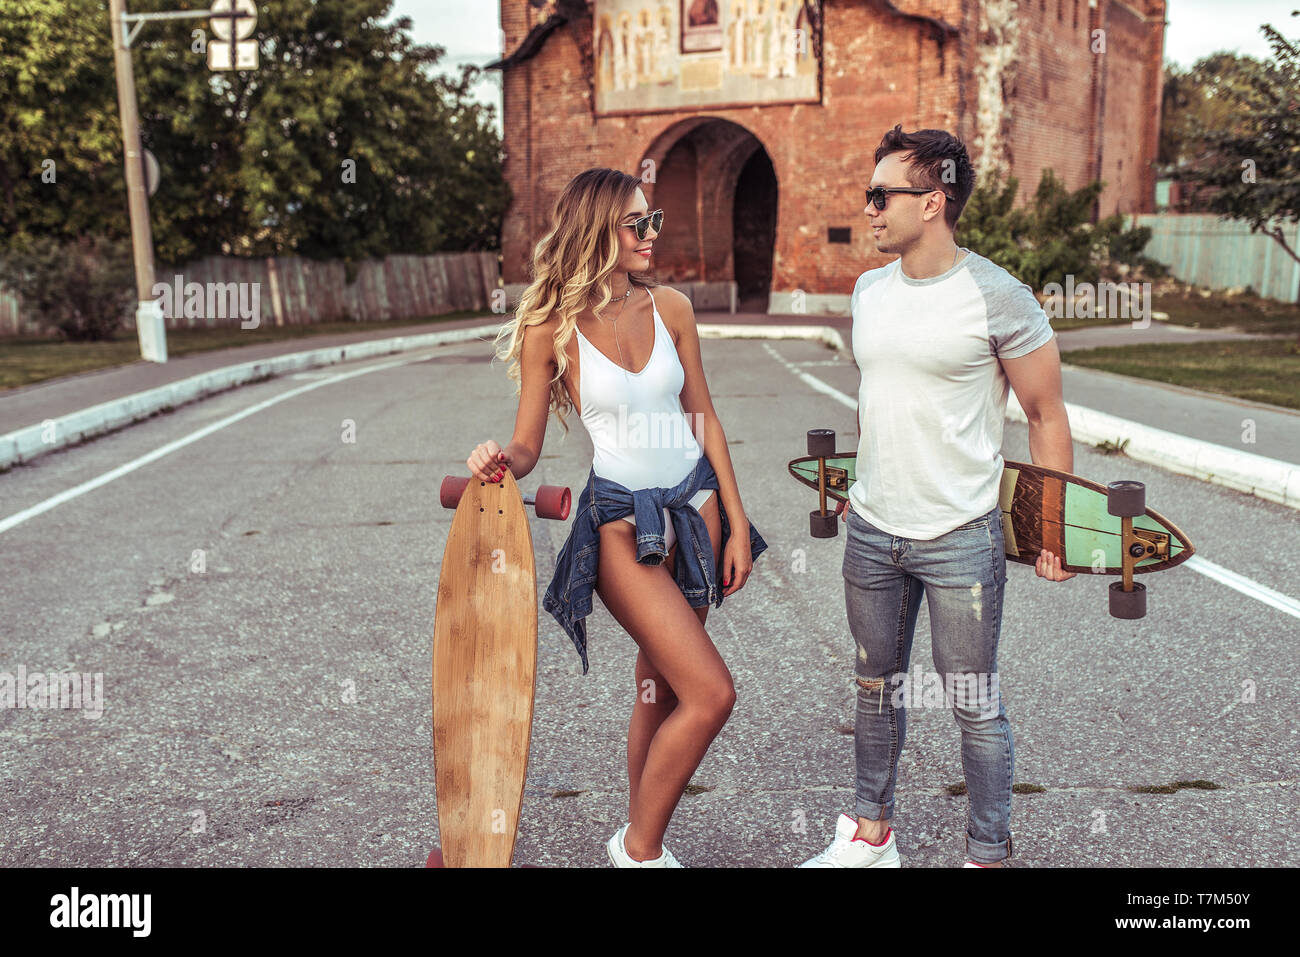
(590, 334)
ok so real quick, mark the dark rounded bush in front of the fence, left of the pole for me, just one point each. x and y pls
(83, 288)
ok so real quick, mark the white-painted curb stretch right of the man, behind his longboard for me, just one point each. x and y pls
(1271, 479)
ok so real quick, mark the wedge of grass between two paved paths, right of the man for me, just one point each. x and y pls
(1260, 371)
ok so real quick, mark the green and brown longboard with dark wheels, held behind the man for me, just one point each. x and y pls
(1093, 529)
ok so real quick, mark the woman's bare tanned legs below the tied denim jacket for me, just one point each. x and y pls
(677, 653)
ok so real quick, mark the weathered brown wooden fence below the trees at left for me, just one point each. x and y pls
(297, 292)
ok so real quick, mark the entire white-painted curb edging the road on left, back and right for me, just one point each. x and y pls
(1269, 479)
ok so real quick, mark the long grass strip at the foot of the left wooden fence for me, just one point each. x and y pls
(27, 360)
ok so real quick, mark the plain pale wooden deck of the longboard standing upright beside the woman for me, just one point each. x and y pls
(484, 674)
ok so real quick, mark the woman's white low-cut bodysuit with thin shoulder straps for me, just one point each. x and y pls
(640, 435)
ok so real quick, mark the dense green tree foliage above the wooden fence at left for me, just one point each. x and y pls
(254, 163)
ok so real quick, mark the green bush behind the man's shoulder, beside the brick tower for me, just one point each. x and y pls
(1051, 239)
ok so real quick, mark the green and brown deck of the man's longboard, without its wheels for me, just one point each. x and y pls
(1045, 509)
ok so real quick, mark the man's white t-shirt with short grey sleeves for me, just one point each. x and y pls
(933, 397)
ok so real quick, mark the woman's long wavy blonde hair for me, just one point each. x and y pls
(571, 270)
